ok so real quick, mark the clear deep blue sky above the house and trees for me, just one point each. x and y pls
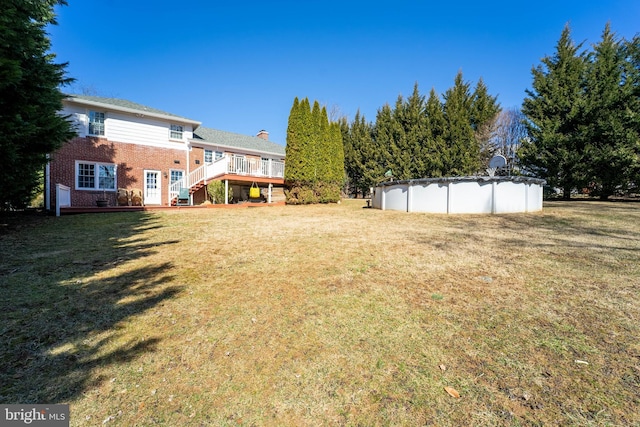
(237, 66)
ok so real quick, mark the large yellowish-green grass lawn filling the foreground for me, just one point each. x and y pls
(326, 315)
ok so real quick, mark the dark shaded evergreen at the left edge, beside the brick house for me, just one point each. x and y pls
(30, 99)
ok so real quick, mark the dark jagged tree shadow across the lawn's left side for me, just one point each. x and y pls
(67, 293)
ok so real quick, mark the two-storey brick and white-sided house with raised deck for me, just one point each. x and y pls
(124, 145)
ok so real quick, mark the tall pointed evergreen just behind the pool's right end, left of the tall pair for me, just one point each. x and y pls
(555, 112)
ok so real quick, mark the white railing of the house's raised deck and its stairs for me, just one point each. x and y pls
(233, 165)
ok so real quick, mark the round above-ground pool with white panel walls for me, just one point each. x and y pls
(461, 195)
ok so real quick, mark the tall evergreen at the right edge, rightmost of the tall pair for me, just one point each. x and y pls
(612, 144)
